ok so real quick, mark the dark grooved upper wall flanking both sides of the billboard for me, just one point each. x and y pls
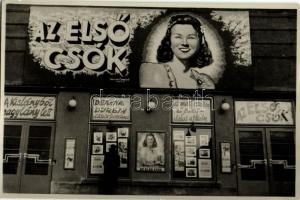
(273, 43)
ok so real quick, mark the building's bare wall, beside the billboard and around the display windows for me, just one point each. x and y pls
(273, 41)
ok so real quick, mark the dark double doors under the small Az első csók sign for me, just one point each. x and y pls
(266, 161)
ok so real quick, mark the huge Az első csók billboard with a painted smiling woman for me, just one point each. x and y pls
(130, 46)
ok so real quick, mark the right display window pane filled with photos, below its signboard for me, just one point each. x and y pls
(193, 155)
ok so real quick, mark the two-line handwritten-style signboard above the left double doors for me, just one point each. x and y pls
(29, 107)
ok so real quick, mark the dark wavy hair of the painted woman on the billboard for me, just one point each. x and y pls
(164, 52)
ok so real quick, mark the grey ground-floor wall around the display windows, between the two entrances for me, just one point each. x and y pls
(75, 124)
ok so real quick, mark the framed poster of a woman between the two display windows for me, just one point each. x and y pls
(150, 152)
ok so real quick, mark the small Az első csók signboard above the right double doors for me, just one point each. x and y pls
(264, 112)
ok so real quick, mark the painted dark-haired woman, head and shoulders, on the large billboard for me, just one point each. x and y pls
(184, 58)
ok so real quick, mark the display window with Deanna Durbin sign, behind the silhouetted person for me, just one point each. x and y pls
(109, 125)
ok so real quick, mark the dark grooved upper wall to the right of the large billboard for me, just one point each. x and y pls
(273, 43)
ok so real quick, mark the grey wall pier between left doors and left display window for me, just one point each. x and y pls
(71, 124)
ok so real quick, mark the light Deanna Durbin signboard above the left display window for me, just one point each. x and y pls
(110, 108)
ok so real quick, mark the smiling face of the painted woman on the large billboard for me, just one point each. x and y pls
(184, 41)
